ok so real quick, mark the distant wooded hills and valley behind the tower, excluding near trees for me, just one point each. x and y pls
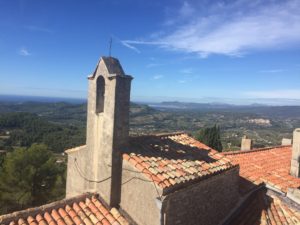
(62, 125)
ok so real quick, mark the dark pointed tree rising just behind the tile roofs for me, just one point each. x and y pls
(211, 137)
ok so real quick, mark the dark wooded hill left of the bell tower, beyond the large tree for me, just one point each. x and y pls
(27, 128)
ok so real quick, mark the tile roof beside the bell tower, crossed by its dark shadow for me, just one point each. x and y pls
(172, 159)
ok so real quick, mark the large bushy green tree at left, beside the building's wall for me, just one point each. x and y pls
(28, 178)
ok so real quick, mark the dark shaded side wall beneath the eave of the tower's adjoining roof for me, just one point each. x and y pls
(205, 203)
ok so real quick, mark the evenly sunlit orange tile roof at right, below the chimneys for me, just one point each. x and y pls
(268, 165)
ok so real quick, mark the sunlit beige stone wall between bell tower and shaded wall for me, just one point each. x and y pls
(138, 197)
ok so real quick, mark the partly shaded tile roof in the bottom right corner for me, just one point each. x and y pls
(262, 208)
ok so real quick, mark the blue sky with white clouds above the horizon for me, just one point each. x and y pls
(233, 51)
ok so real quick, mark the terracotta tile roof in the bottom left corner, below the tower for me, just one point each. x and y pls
(85, 209)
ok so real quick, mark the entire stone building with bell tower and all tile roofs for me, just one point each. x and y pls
(165, 179)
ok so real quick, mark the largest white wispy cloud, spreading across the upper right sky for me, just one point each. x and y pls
(233, 28)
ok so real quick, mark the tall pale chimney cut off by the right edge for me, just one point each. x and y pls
(295, 153)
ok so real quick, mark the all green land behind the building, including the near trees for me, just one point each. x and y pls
(34, 135)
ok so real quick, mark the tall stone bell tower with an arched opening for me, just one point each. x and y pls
(107, 128)
